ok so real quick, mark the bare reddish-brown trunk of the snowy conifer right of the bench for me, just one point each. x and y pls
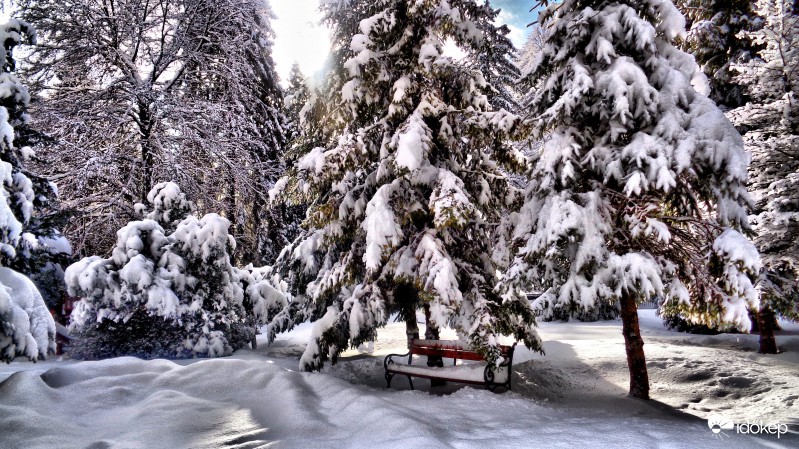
(634, 344)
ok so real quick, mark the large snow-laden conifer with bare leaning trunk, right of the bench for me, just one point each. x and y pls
(640, 190)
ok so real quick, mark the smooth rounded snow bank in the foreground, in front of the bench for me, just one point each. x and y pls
(132, 403)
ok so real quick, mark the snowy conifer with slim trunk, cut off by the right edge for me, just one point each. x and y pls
(770, 123)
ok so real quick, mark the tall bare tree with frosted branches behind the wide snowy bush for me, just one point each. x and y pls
(141, 91)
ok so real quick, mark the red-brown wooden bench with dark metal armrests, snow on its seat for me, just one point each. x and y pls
(475, 373)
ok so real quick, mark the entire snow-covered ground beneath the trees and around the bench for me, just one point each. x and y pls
(575, 396)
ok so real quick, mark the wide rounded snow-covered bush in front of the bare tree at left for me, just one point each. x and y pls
(161, 295)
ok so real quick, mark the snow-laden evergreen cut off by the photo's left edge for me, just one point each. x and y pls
(26, 326)
